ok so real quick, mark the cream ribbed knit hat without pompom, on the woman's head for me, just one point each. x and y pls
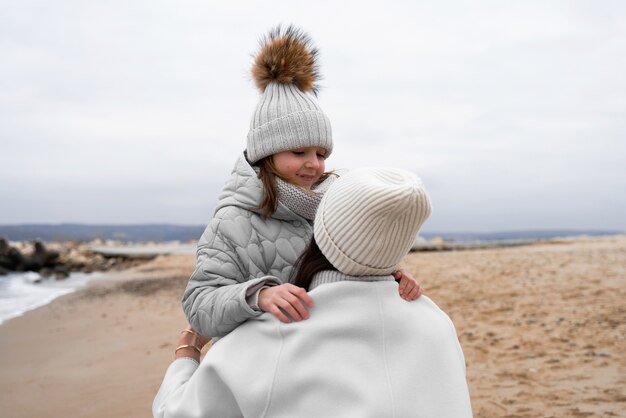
(369, 218)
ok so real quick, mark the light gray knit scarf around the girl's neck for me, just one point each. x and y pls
(301, 201)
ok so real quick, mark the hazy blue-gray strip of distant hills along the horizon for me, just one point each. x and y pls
(168, 232)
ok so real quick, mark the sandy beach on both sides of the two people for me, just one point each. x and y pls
(543, 328)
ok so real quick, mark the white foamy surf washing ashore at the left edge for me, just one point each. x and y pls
(22, 292)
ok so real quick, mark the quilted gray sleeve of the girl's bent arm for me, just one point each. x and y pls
(215, 298)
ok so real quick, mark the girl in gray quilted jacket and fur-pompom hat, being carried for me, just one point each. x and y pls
(263, 219)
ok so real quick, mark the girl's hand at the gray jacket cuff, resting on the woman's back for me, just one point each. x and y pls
(286, 299)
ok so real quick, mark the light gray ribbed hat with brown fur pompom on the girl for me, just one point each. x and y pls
(287, 115)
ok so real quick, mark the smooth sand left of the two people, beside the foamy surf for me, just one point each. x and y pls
(100, 351)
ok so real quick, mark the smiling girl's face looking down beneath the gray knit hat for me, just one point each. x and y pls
(302, 166)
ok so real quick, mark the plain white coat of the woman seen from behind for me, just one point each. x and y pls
(364, 352)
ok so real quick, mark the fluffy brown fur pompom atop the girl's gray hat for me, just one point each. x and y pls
(288, 57)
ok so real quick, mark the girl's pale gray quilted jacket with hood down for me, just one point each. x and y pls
(238, 252)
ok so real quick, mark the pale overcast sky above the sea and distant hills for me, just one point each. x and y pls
(513, 113)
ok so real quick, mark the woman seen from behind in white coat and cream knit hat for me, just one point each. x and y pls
(363, 352)
